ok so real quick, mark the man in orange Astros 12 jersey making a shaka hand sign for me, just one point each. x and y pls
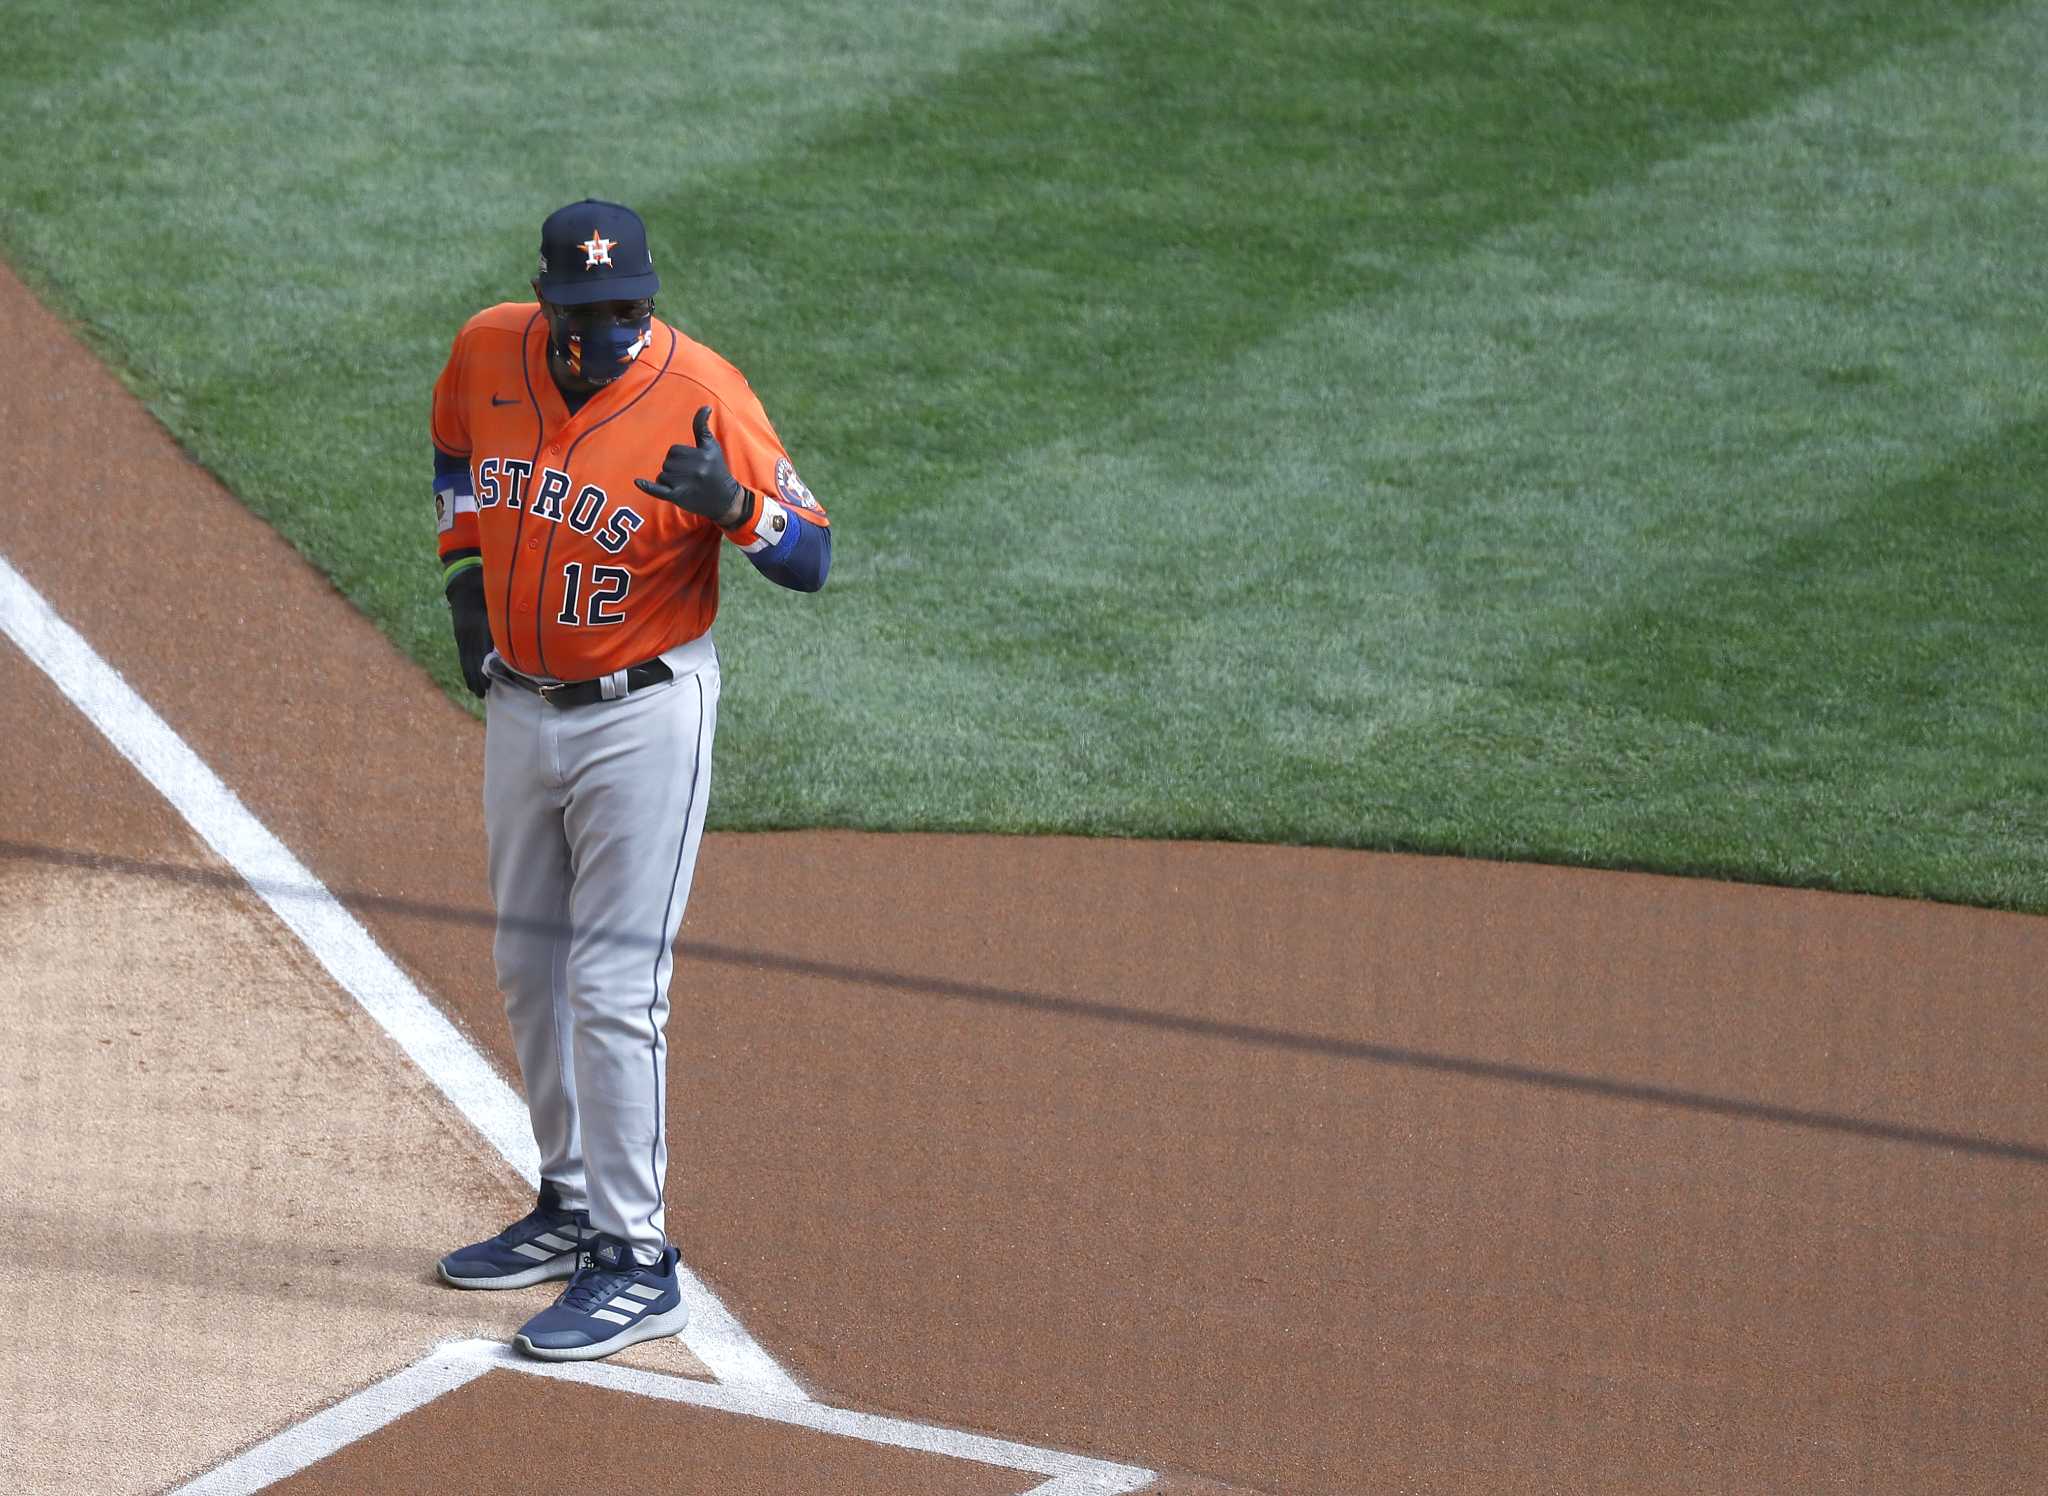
(591, 464)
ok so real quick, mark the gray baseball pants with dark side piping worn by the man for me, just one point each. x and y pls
(595, 819)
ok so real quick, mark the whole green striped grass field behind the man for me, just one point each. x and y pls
(1605, 431)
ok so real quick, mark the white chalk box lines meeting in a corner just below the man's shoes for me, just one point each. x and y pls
(462, 1362)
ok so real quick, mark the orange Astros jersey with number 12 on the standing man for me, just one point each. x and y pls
(585, 573)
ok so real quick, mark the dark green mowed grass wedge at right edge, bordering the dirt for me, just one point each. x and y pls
(1838, 710)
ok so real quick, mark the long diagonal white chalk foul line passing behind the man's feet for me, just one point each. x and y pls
(335, 938)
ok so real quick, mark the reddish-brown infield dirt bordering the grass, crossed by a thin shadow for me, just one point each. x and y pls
(1277, 1171)
